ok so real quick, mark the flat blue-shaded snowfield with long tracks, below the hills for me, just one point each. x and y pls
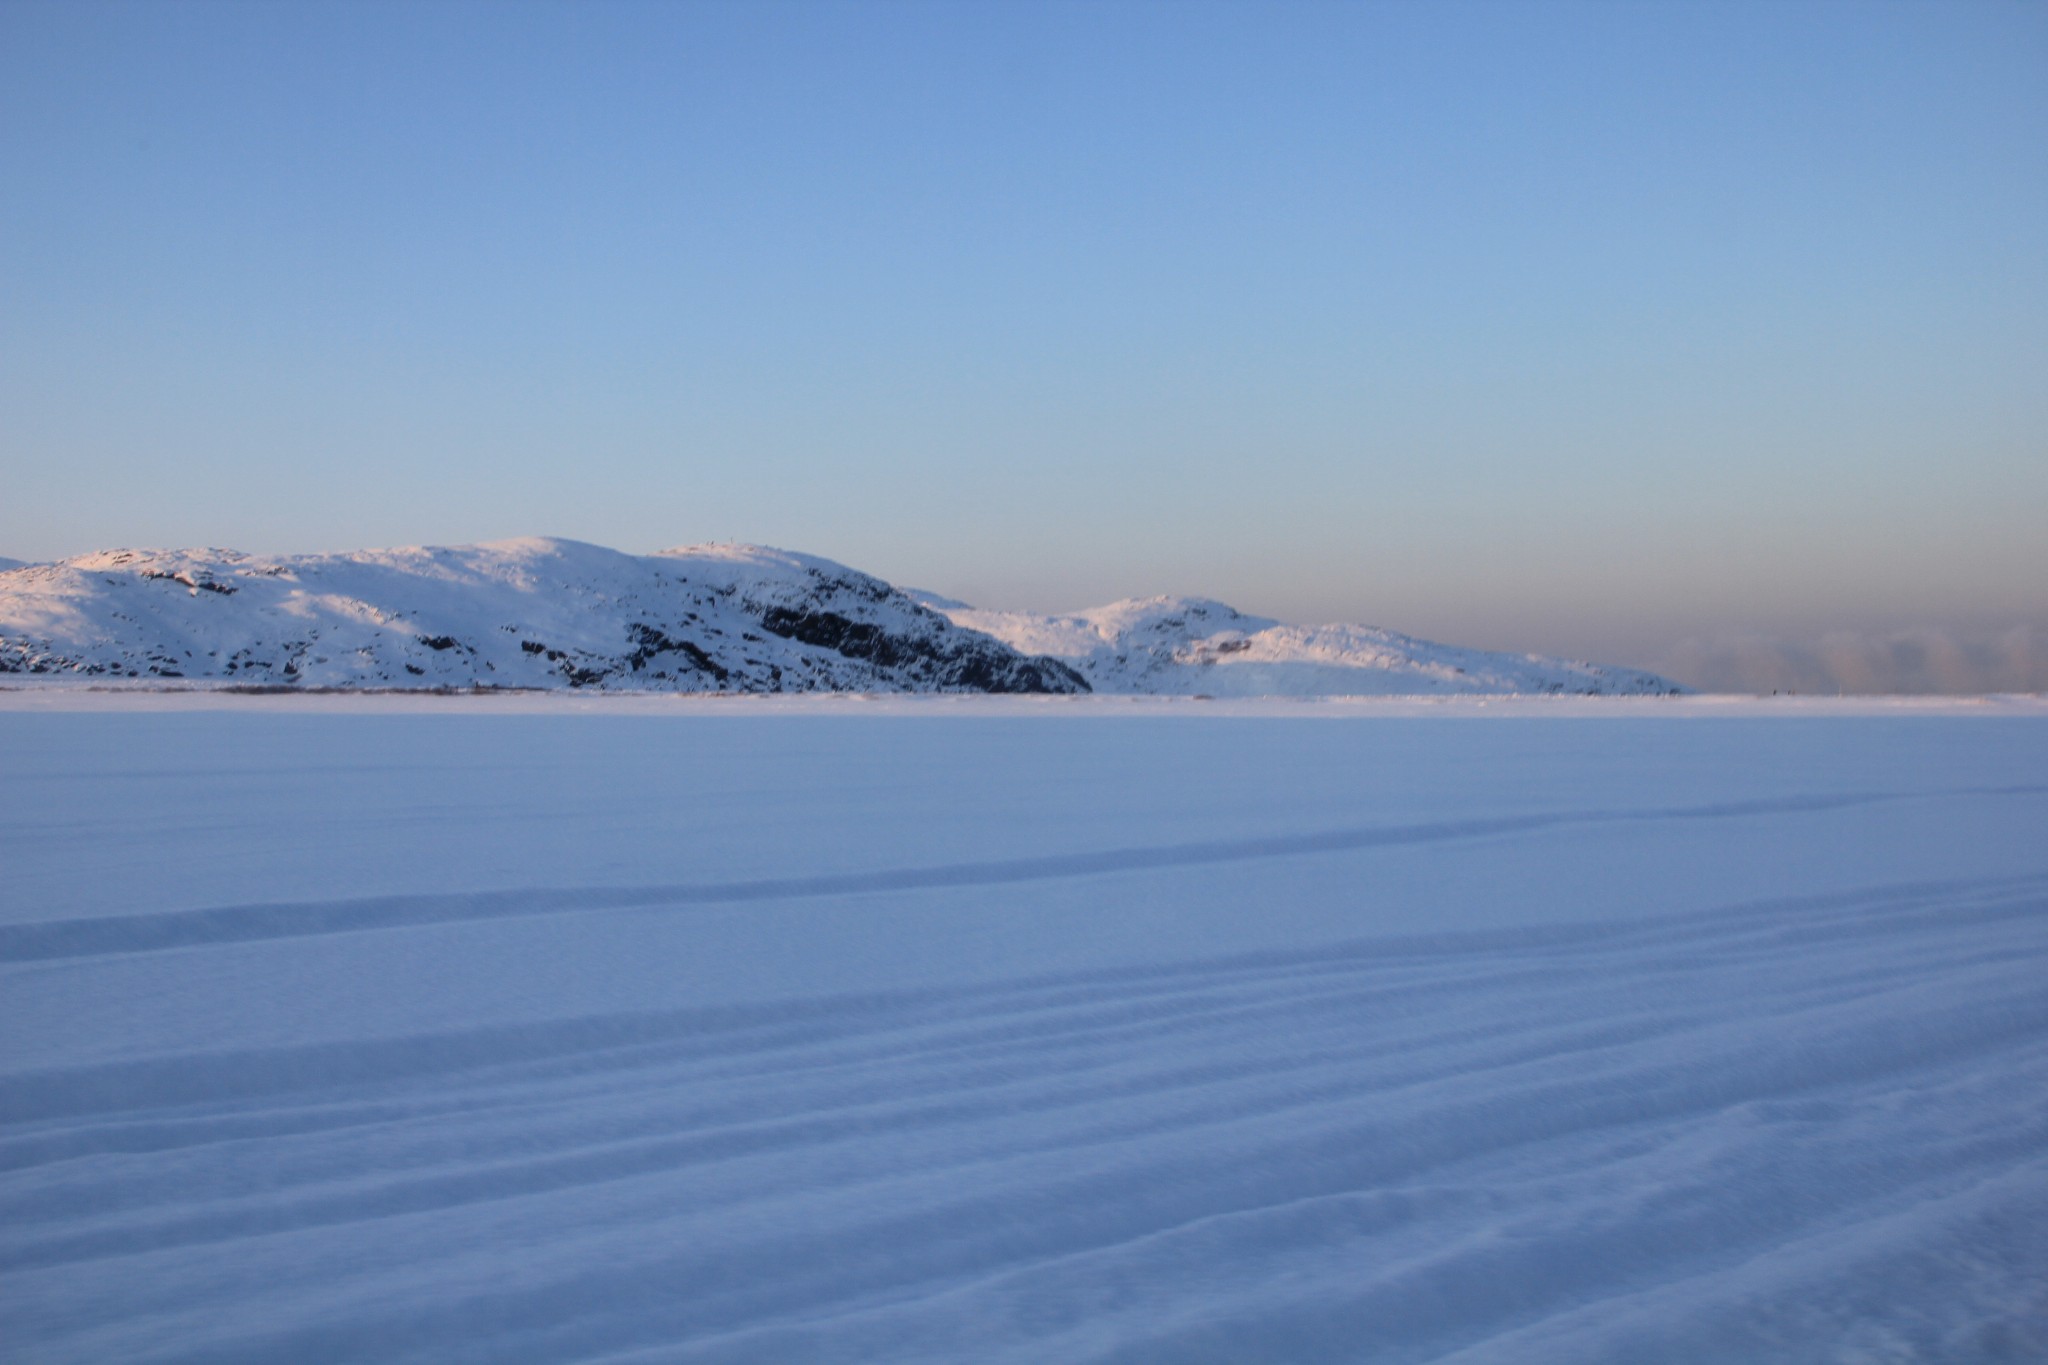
(650, 1028)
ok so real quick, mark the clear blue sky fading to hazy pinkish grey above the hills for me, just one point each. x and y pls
(1547, 326)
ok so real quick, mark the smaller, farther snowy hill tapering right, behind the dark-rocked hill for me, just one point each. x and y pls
(1195, 646)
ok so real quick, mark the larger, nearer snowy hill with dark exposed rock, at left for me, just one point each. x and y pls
(511, 615)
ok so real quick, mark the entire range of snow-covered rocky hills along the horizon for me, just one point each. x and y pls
(544, 613)
